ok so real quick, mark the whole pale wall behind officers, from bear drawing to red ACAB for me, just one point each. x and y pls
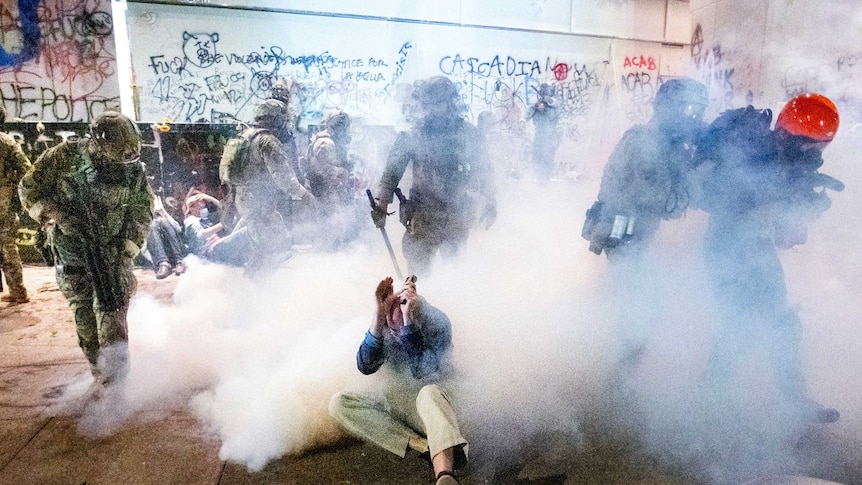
(606, 59)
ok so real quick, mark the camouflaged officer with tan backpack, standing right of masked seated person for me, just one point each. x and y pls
(266, 181)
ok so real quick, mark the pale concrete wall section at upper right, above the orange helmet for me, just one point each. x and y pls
(766, 51)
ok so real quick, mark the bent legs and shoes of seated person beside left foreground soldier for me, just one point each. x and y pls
(165, 243)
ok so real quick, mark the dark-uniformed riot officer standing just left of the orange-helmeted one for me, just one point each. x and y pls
(646, 180)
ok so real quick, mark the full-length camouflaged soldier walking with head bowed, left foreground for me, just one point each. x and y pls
(93, 197)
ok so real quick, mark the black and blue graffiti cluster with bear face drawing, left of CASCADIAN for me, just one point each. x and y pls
(198, 80)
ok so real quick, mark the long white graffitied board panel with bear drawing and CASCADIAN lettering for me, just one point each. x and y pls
(193, 64)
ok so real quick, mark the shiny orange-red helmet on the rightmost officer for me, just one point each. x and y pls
(810, 115)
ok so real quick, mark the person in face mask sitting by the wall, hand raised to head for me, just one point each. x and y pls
(202, 233)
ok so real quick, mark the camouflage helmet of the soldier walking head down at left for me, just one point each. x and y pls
(116, 137)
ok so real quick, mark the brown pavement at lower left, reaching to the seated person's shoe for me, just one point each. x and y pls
(42, 379)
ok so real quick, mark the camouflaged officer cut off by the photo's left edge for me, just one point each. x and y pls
(13, 165)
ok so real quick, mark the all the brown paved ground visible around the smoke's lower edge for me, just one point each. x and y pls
(45, 437)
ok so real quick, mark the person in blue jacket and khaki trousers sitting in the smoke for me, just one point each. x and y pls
(415, 412)
